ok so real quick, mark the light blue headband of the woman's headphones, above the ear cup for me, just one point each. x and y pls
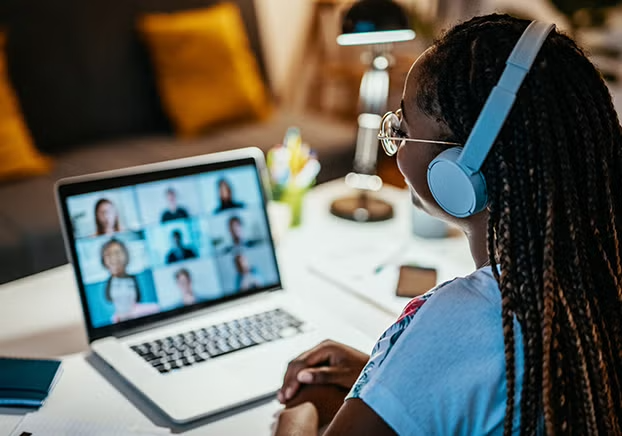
(501, 99)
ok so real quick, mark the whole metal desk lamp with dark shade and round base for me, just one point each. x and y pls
(377, 23)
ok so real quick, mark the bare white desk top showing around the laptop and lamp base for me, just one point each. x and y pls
(41, 316)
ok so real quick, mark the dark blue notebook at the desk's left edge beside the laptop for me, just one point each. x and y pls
(27, 382)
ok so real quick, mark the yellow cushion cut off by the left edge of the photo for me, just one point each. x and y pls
(18, 156)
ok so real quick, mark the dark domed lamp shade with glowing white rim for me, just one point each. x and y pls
(375, 22)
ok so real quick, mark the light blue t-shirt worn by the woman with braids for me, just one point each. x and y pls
(440, 369)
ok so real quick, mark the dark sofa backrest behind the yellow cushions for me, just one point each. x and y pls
(80, 71)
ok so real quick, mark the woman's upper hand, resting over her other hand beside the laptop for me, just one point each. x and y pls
(329, 363)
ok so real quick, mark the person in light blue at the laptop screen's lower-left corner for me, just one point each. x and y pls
(122, 289)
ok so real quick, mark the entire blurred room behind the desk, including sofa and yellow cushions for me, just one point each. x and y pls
(88, 86)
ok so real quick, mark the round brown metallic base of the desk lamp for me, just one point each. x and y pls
(362, 208)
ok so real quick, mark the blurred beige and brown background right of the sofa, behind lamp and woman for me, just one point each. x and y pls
(310, 70)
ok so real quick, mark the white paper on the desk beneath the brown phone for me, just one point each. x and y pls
(370, 269)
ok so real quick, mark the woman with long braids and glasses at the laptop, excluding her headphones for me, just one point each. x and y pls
(531, 342)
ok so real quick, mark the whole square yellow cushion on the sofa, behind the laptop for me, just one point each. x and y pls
(206, 71)
